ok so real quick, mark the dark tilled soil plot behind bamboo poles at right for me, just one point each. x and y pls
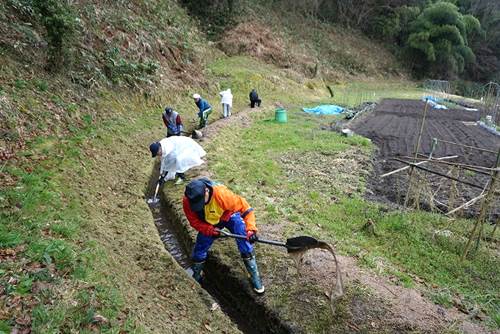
(394, 127)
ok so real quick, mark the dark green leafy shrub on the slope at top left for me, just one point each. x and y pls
(60, 22)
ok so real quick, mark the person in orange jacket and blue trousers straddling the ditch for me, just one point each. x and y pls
(209, 206)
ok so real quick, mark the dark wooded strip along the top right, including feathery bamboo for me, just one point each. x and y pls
(442, 39)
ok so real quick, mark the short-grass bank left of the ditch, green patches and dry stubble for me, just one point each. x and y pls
(84, 239)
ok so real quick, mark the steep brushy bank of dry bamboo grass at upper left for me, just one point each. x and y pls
(112, 49)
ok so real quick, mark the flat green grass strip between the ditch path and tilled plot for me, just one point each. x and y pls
(282, 173)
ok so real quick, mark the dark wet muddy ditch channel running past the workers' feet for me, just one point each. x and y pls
(236, 300)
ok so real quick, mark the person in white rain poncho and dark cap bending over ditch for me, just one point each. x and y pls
(177, 155)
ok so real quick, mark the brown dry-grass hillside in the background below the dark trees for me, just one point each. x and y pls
(307, 45)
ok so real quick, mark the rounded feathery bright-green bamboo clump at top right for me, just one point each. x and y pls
(438, 42)
